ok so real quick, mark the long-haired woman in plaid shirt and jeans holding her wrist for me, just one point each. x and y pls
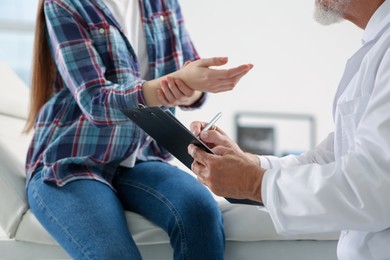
(87, 162)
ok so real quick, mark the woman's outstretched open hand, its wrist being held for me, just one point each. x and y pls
(199, 76)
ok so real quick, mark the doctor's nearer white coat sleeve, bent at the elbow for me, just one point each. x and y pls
(353, 191)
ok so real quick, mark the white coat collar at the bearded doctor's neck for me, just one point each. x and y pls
(378, 21)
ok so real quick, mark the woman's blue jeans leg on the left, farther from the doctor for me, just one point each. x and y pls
(85, 217)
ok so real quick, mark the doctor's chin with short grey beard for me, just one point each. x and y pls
(330, 13)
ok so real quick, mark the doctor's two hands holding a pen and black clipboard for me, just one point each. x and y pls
(229, 172)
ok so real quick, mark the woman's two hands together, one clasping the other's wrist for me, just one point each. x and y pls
(191, 80)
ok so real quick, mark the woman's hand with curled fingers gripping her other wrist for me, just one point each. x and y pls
(174, 92)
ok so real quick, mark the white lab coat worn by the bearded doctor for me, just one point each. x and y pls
(344, 184)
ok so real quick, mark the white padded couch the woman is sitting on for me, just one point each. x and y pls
(250, 233)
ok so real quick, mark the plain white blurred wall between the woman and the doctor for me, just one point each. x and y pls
(298, 63)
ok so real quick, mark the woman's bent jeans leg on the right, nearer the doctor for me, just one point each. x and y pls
(178, 203)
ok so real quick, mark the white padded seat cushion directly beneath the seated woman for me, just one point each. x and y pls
(242, 223)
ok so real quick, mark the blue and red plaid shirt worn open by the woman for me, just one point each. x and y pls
(80, 132)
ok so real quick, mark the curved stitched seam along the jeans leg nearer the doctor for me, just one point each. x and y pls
(164, 200)
